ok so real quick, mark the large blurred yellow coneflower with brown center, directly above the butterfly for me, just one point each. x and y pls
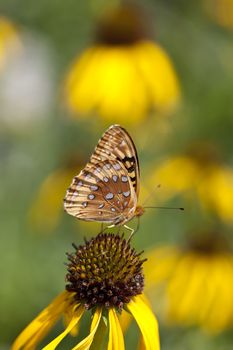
(124, 75)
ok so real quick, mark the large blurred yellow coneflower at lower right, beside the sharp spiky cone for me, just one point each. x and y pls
(194, 286)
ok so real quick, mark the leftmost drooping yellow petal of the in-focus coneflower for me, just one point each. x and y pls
(41, 325)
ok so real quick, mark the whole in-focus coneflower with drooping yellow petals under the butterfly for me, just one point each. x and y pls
(105, 276)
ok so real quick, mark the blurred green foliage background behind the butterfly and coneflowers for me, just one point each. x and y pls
(32, 255)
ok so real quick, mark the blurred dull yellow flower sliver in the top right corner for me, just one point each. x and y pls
(221, 11)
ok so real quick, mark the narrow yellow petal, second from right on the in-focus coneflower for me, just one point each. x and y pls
(116, 339)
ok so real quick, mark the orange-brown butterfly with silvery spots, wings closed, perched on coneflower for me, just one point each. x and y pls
(107, 189)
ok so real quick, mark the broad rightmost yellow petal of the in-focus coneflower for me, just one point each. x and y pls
(146, 322)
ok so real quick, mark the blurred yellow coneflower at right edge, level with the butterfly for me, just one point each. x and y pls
(198, 174)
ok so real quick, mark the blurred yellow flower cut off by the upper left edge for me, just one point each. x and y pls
(9, 40)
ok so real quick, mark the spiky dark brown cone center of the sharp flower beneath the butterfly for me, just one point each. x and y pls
(105, 271)
